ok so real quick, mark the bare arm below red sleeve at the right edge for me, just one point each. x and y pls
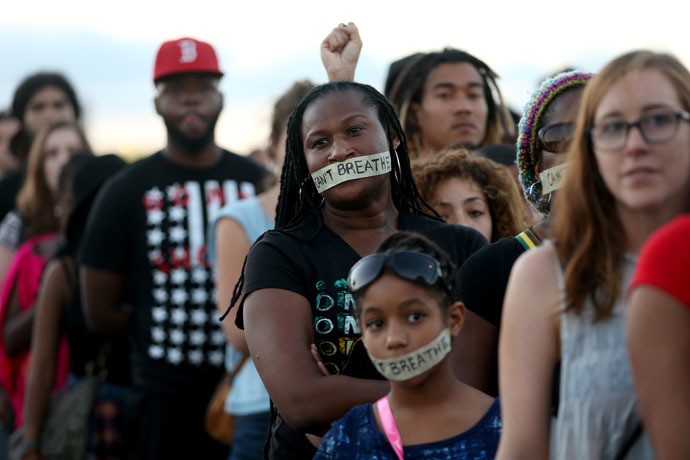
(658, 331)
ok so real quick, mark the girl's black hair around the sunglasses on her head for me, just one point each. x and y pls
(412, 241)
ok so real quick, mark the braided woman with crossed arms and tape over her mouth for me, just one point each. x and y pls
(346, 185)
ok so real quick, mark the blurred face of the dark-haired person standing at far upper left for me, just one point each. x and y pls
(47, 106)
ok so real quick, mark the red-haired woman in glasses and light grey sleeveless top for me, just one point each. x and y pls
(628, 174)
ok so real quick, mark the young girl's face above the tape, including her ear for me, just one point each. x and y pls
(398, 316)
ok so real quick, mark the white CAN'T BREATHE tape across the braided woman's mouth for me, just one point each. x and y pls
(350, 169)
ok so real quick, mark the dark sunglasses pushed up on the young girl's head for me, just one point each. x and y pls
(409, 265)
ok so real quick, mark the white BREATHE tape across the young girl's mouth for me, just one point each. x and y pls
(417, 362)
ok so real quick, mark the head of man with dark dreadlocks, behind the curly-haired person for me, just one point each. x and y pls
(450, 98)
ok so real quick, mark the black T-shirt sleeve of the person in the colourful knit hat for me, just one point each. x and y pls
(484, 278)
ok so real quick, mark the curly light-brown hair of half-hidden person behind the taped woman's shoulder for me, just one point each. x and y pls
(507, 209)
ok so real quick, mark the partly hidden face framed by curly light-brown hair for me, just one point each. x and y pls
(460, 201)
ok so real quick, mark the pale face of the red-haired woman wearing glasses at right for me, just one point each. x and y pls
(643, 175)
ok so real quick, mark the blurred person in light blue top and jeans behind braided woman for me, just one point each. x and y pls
(237, 226)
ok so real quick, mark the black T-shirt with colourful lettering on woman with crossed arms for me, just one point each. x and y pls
(314, 262)
